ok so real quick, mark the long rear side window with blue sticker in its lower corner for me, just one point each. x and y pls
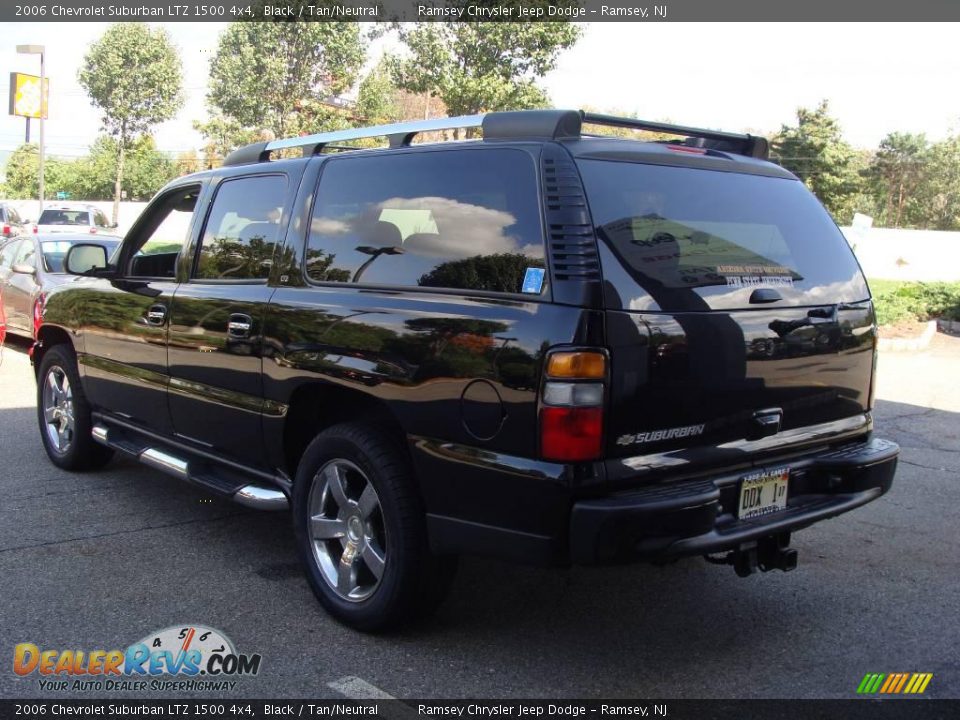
(459, 219)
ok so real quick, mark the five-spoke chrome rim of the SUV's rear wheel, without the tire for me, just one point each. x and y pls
(346, 530)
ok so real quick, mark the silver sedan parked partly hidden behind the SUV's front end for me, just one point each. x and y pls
(29, 267)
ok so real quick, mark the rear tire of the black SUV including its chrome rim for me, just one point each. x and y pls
(364, 547)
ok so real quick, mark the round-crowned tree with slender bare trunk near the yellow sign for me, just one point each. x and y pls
(133, 75)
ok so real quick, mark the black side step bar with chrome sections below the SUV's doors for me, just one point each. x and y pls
(250, 495)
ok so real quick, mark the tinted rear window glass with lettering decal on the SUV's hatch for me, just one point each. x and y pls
(690, 239)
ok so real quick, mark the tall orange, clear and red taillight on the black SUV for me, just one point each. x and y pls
(571, 411)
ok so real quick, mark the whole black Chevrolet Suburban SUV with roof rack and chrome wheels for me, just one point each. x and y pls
(541, 345)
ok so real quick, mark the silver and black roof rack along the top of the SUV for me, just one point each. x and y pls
(551, 124)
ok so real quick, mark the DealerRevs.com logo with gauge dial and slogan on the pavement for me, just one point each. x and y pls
(178, 658)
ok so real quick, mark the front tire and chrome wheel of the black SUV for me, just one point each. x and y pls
(63, 414)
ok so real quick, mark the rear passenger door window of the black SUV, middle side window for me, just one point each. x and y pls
(242, 229)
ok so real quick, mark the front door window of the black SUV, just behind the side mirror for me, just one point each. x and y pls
(159, 241)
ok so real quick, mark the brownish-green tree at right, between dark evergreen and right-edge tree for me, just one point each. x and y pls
(895, 174)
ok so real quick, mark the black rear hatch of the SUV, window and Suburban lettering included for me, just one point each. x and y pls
(736, 310)
